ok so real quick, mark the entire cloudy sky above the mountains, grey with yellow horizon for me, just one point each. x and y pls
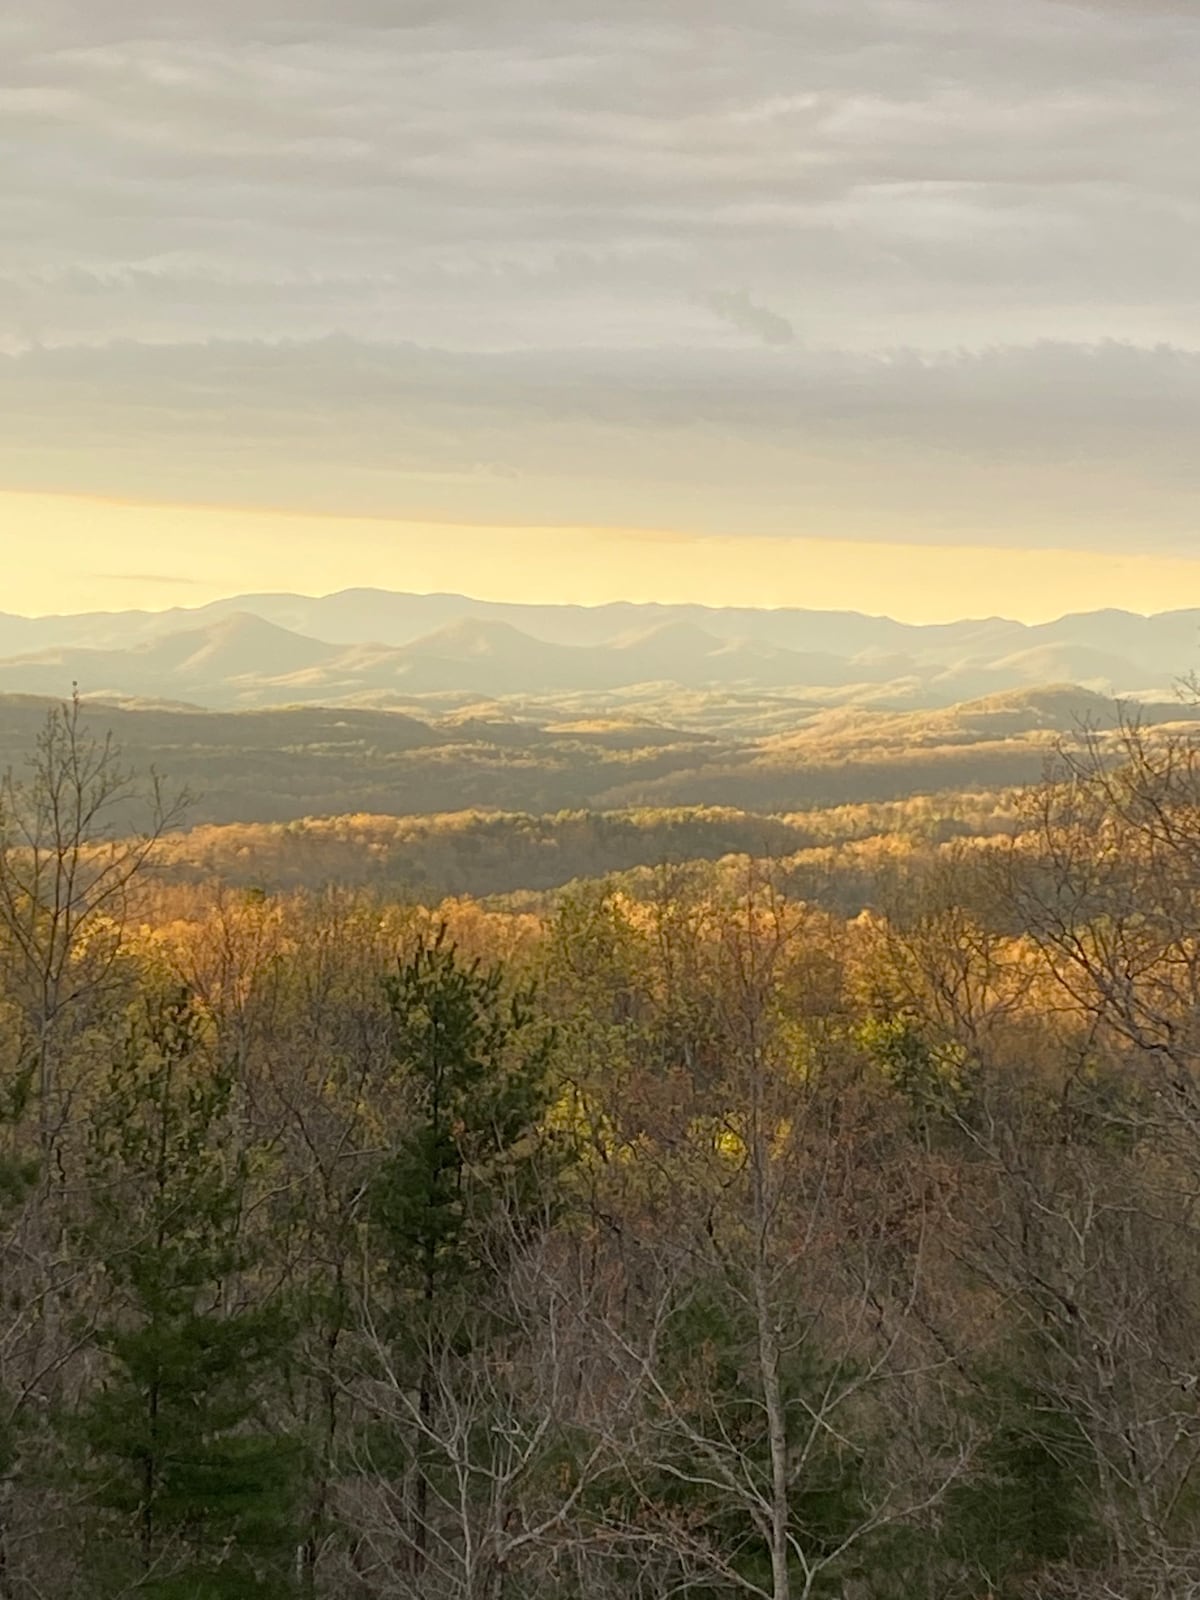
(889, 305)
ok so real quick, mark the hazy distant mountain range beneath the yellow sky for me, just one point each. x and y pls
(367, 647)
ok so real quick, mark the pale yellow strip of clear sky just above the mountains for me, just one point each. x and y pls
(79, 554)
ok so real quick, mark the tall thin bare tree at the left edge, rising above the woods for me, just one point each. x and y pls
(78, 831)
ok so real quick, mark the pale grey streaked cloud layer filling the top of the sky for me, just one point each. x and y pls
(510, 177)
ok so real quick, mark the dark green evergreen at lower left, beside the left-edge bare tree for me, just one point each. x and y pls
(191, 1490)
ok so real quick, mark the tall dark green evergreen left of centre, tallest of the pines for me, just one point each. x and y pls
(463, 1186)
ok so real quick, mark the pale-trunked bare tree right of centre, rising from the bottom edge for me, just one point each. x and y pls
(769, 1286)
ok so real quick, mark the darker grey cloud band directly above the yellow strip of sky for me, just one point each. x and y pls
(1087, 447)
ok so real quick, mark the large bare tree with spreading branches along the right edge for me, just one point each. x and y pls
(1081, 1145)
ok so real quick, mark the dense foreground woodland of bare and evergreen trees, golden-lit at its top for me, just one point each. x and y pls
(681, 1234)
